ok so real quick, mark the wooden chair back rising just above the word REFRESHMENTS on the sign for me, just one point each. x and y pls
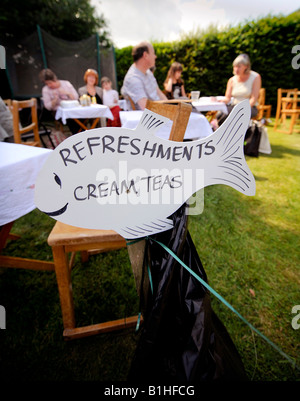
(178, 113)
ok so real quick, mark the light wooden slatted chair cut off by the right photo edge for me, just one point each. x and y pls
(287, 106)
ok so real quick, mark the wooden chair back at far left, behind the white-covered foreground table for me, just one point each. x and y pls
(19, 130)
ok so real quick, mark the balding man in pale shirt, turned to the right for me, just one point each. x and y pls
(139, 82)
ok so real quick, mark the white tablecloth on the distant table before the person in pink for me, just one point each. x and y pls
(93, 111)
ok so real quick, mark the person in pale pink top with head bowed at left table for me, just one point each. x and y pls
(56, 90)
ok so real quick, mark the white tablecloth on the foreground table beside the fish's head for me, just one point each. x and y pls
(19, 166)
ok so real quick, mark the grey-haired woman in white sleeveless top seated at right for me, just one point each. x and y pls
(245, 84)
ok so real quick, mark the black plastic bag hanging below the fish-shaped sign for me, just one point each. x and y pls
(181, 339)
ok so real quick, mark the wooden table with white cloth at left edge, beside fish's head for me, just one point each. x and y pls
(19, 166)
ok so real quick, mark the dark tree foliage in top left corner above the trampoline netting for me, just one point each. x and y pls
(66, 19)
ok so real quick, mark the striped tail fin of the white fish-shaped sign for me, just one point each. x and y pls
(232, 169)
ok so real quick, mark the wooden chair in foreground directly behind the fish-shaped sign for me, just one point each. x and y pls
(64, 239)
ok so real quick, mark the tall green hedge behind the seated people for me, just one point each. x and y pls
(207, 57)
